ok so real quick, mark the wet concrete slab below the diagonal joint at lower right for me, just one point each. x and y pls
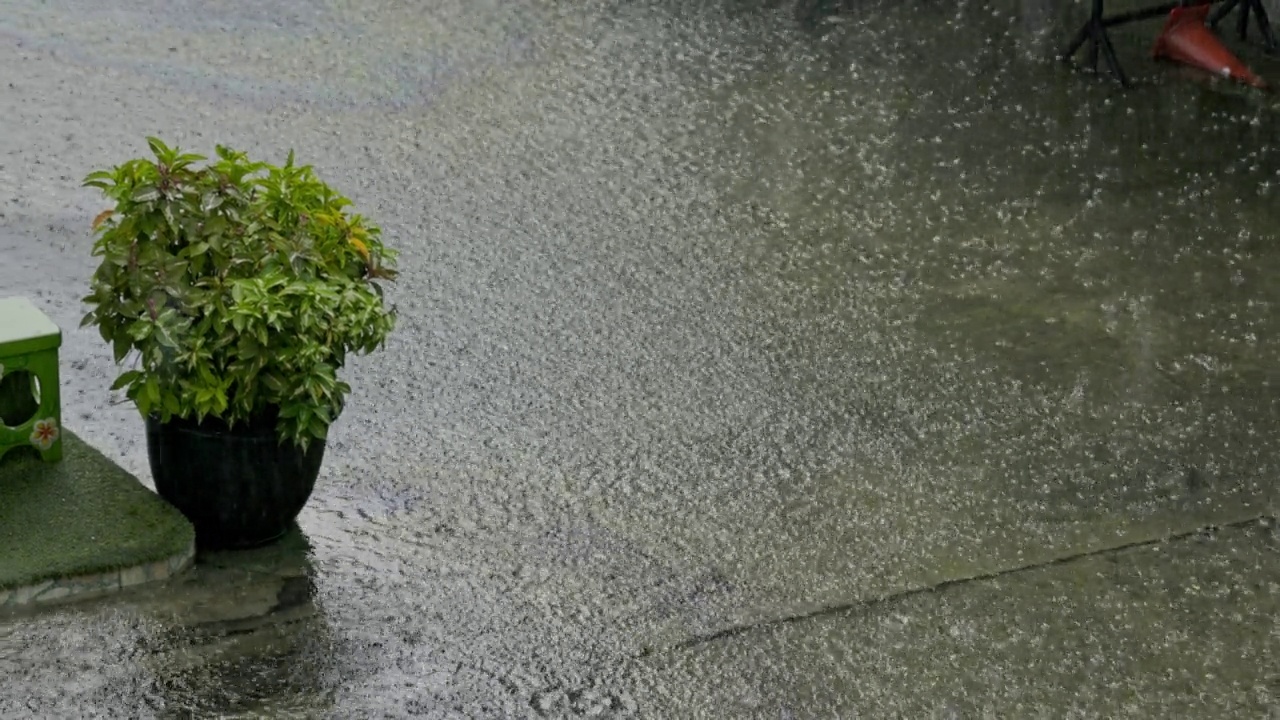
(1177, 630)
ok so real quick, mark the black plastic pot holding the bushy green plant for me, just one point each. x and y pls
(240, 486)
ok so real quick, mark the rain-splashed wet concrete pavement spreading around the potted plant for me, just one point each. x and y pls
(712, 317)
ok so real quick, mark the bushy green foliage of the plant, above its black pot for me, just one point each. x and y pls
(239, 289)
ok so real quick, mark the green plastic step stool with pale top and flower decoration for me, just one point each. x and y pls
(30, 341)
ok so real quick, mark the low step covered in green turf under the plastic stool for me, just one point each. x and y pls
(83, 527)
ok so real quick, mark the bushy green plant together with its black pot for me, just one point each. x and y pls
(236, 290)
